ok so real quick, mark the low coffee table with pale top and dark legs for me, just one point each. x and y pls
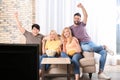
(65, 61)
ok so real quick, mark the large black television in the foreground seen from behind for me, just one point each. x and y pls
(19, 62)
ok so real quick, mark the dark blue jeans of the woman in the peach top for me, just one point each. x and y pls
(75, 60)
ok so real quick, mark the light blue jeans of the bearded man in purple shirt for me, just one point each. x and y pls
(90, 46)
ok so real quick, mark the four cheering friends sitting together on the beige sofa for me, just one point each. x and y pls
(71, 43)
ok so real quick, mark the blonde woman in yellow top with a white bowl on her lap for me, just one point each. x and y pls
(51, 47)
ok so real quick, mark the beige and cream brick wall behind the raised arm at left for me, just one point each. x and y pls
(9, 32)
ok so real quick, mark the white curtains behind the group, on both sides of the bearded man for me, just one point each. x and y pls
(101, 25)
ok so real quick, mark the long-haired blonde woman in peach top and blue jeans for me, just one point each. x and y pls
(71, 49)
